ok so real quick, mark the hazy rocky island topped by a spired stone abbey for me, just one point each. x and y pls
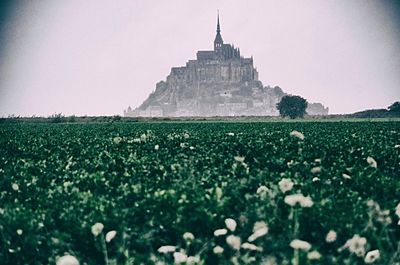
(218, 83)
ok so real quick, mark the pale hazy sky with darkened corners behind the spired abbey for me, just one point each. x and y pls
(96, 57)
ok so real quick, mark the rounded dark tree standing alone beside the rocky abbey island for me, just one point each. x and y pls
(292, 106)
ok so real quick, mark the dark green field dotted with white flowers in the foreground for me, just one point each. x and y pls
(200, 193)
